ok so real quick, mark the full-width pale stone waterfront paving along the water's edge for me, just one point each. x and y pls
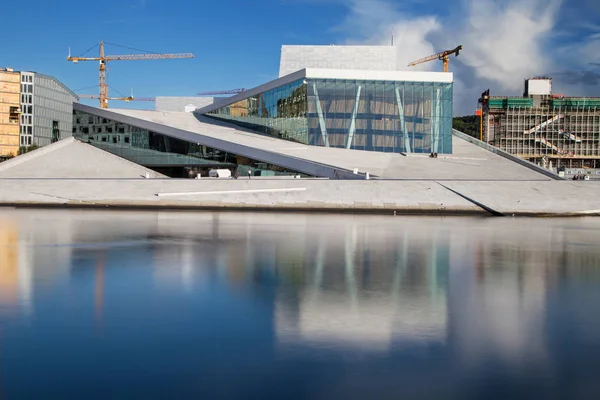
(545, 198)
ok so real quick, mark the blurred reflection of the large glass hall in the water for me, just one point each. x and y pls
(373, 300)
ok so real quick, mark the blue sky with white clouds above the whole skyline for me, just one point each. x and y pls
(237, 43)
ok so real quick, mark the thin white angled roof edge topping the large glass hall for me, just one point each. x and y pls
(322, 73)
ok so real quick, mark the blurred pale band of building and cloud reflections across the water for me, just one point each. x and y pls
(361, 283)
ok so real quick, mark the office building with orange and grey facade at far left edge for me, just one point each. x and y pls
(35, 109)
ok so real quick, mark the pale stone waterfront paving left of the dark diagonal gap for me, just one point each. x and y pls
(319, 195)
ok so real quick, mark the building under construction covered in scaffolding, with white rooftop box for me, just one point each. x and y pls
(560, 133)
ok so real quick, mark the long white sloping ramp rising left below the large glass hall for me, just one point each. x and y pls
(468, 162)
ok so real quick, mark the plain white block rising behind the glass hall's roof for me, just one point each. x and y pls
(294, 58)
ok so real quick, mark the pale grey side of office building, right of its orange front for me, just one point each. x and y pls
(52, 101)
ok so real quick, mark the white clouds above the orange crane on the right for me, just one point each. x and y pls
(504, 40)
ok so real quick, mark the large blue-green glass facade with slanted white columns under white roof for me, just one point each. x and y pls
(385, 116)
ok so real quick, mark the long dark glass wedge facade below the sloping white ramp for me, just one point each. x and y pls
(165, 154)
